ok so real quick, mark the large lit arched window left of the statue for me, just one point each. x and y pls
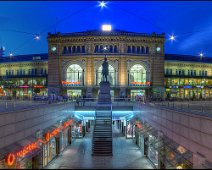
(74, 74)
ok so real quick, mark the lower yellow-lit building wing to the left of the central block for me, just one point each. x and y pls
(23, 76)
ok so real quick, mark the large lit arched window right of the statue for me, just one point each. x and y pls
(137, 74)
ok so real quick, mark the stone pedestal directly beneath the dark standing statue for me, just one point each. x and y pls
(104, 93)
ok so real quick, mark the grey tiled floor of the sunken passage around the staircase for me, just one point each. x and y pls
(126, 155)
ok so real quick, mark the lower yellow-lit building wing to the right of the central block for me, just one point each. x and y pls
(188, 77)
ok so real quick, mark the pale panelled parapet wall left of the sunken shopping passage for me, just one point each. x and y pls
(17, 125)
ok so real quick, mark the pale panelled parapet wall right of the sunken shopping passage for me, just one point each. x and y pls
(194, 132)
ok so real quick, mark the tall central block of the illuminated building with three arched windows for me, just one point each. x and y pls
(136, 63)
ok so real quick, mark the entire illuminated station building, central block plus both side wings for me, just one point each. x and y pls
(137, 67)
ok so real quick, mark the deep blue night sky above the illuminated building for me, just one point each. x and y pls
(191, 22)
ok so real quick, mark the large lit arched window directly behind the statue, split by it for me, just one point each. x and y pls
(111, 75)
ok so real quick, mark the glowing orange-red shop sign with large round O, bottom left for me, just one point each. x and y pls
(11, 157)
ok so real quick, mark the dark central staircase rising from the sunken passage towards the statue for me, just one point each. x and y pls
(102, 134)
